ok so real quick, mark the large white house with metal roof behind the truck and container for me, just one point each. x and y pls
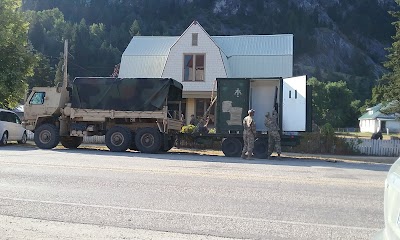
(197, 59)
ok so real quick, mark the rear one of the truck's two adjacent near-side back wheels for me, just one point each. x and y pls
(148, 140)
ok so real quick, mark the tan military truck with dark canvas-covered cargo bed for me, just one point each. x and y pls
(131, 113)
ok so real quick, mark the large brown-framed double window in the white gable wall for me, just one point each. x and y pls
(193, 69)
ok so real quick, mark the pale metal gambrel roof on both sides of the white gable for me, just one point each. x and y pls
(243, 56)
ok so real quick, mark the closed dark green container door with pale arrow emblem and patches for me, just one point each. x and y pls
(232, 104)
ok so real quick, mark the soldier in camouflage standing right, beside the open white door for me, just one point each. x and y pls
(274, 139)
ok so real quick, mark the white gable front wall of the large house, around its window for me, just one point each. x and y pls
(214, 67)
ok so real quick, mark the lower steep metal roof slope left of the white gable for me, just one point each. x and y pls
(142, 66)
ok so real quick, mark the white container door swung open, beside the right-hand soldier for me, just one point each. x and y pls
(294, 104)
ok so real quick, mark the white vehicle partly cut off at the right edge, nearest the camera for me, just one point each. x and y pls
(392, 205)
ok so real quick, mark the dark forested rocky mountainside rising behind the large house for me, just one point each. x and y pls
(333, 38)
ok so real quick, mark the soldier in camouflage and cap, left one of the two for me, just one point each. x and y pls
(249, 132)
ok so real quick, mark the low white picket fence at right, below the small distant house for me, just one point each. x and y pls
(372, 147)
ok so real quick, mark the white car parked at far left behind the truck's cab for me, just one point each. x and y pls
(11, 128)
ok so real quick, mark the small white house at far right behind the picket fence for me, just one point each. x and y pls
(374, 120)
